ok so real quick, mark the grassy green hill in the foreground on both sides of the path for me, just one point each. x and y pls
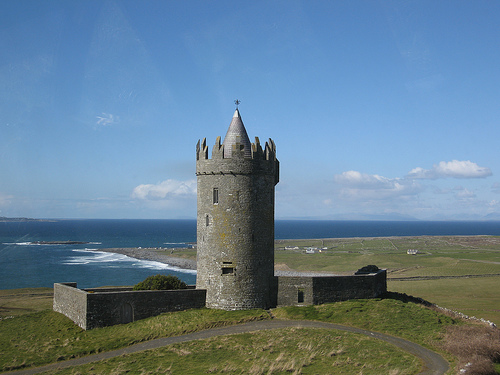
(46, 337)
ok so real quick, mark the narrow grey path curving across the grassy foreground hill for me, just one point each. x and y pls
(433, 363)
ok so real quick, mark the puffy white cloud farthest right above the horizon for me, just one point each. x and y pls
(454, 168)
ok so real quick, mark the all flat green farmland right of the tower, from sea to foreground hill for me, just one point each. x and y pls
(458, 272)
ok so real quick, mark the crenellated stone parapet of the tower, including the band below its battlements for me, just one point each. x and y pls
(261, 160)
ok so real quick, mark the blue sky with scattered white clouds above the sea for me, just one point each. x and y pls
(377, 108)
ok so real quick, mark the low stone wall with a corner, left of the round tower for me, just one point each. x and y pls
(93, 308)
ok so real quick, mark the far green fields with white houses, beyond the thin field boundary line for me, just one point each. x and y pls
(442, 256)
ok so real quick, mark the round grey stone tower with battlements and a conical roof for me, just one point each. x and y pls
(235, 222)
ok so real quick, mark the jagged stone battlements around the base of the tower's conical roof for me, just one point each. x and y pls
(238, 150)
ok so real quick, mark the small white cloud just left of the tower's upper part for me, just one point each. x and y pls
(165, 190)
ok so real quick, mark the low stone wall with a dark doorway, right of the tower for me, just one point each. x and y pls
(324, 289)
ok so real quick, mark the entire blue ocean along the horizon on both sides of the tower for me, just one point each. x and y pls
(26, 261)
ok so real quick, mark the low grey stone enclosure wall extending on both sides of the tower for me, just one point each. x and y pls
(99, 307)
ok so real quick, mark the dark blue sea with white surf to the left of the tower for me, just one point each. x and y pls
(24, 263)
